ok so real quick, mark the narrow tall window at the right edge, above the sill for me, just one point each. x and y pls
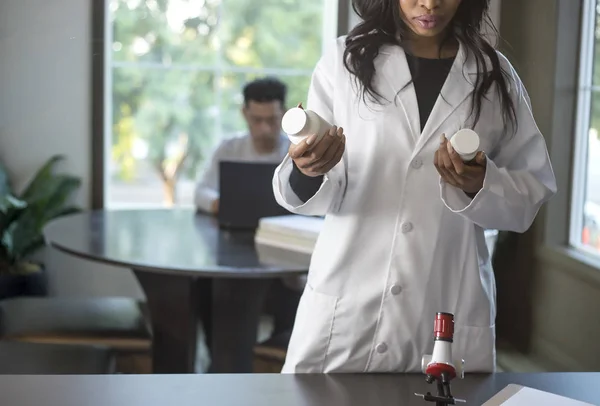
(585, 203)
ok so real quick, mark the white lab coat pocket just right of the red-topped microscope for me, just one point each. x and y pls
(476, 346)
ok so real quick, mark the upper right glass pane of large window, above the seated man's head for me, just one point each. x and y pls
(276, 34)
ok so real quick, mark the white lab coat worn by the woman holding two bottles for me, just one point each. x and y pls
(398, 244)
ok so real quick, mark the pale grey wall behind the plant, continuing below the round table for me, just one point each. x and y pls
(45, 110)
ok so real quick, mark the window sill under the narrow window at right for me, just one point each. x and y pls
(572, 261)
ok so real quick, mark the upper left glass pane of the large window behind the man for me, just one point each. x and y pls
(165, 31)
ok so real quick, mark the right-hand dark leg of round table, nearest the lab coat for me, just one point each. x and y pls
(236, 308)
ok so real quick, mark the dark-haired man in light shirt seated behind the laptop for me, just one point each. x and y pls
(263, 109)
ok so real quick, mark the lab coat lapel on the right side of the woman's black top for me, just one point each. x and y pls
(458, 86)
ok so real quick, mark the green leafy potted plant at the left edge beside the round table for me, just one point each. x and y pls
(22, 219)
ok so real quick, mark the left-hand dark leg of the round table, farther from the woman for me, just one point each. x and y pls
(172, 305)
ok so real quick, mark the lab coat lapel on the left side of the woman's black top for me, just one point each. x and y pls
(398, 88)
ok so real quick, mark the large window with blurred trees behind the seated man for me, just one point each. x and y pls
(174, 71)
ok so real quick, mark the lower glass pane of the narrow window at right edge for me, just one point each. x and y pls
(591, 212)
